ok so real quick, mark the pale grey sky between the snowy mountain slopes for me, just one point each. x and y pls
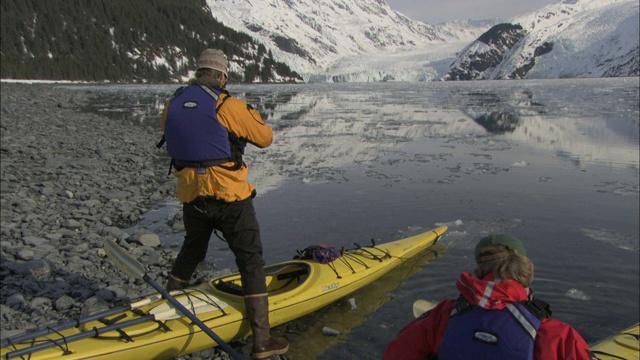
(437, 11)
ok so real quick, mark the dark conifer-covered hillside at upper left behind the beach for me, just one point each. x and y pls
(120, 40)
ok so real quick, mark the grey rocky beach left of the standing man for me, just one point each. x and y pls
(71, 180)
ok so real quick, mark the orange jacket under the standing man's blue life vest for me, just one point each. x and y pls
(223, 184)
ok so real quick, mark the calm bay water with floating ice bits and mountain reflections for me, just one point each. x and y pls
(554, 162)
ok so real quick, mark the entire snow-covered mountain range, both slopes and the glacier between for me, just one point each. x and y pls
(366, 40)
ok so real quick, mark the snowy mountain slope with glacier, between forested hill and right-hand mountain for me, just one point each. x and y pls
(345, 40)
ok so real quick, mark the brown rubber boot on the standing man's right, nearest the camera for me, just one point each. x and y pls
(264, 345)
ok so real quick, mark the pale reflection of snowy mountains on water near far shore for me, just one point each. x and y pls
(362, 119)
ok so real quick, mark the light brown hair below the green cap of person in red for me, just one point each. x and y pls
(504, 263)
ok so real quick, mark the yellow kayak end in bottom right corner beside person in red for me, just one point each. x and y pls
(623, 345)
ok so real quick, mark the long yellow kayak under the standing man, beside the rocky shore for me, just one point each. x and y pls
(153, 329)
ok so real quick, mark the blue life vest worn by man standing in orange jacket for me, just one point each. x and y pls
(192, 130)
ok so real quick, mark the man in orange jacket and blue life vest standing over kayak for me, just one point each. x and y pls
(206, 131)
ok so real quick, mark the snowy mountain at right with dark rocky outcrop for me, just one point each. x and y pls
(568, 39)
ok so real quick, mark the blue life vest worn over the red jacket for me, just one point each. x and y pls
(477, 333)
